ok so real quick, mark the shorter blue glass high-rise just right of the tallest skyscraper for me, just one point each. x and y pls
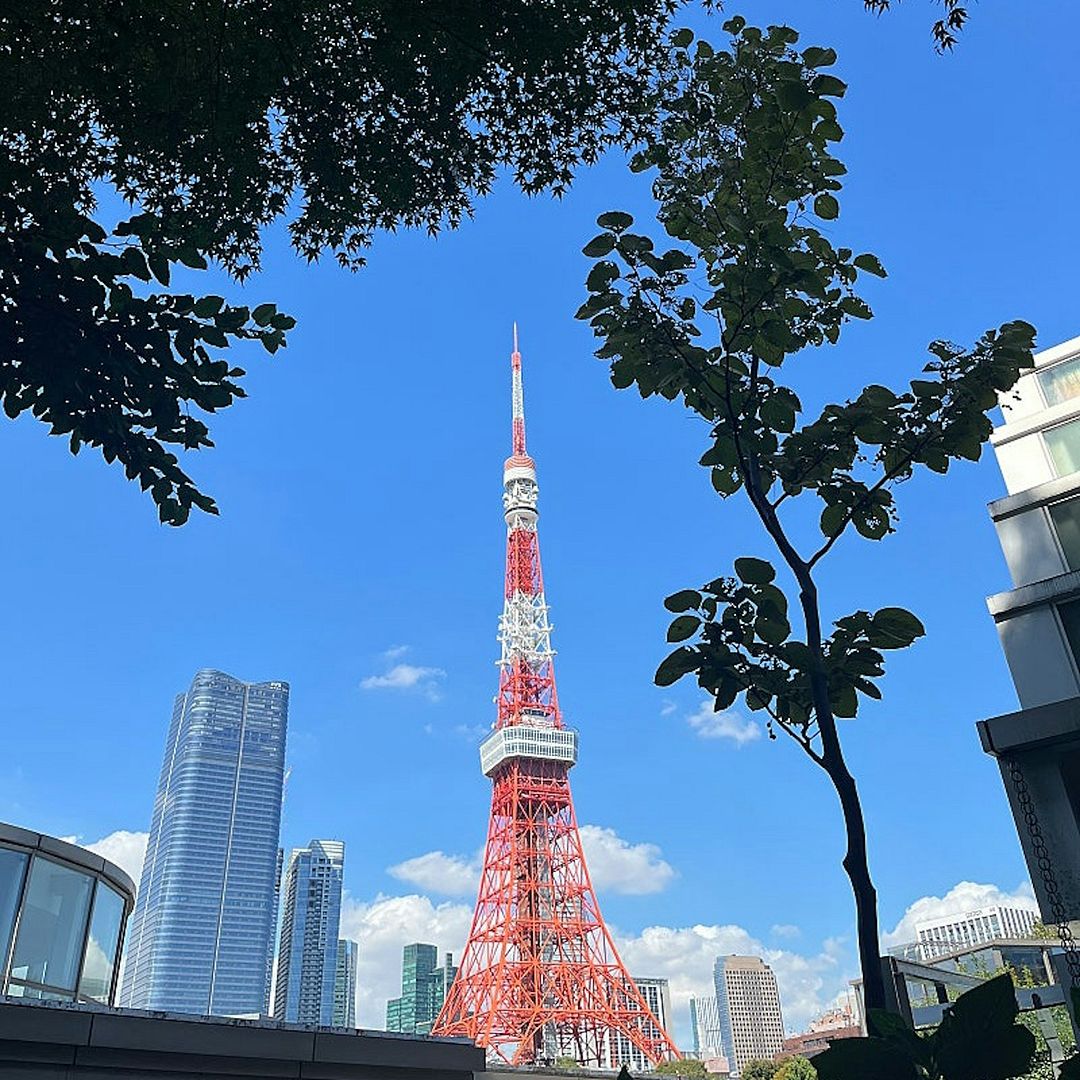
(308, 952)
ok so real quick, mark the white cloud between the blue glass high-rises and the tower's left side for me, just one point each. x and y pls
(383, 928)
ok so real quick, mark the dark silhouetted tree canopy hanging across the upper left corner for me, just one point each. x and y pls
(214, 118)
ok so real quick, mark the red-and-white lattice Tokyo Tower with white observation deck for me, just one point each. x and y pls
(541, 978)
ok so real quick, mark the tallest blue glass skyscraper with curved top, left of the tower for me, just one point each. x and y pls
(202, 930)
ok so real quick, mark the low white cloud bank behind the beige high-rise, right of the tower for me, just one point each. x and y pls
(808, 983)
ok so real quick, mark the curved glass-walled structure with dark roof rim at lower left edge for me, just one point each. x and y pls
(61, 923)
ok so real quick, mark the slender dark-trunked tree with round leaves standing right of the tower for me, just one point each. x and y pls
(746, 180)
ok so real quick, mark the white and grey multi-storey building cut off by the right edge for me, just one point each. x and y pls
(1038, 622)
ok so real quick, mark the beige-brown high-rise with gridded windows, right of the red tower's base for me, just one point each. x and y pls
(749, 1005)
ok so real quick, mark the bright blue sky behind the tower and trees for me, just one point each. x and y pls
(360, 494)
